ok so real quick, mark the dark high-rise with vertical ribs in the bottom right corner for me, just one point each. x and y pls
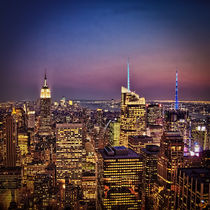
(193, 188)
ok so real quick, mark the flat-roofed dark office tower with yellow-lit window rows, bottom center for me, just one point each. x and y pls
(120, 176)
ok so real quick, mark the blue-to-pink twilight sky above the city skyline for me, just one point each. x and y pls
(84, 45)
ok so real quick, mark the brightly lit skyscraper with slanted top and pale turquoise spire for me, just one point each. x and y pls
(133, 113)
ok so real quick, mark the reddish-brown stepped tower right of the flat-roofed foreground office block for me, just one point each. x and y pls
(169, 160)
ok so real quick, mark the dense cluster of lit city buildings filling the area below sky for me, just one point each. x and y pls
(61, 155)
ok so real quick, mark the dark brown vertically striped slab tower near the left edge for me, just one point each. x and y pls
(10, 141)
